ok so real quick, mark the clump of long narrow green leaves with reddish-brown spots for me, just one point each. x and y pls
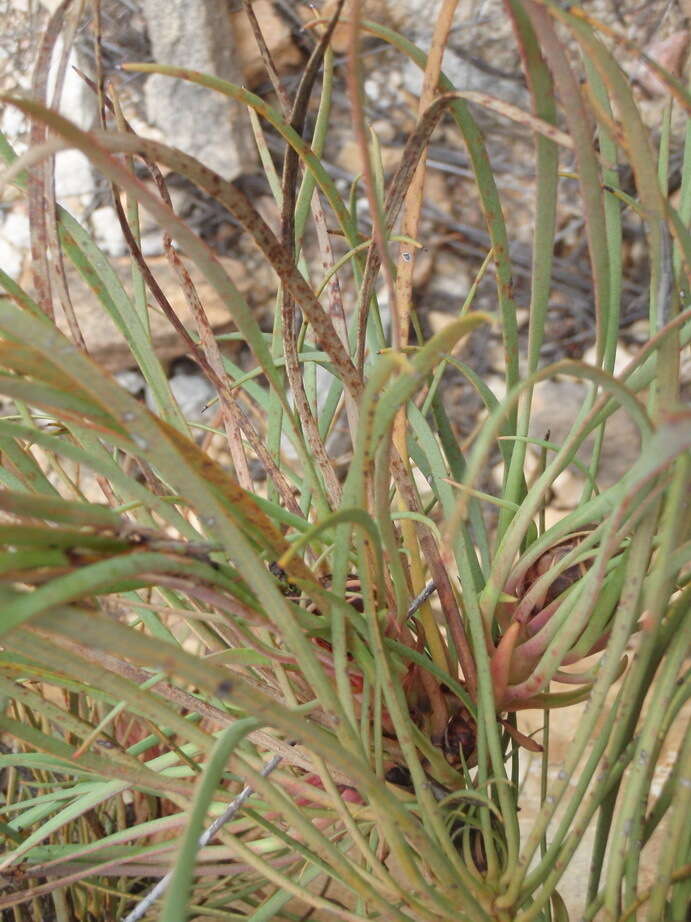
(161, 646)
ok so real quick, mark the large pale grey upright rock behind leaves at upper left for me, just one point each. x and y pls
(197, 34)
